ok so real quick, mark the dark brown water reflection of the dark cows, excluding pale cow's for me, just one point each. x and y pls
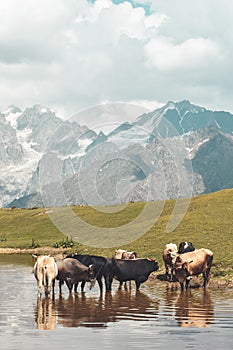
(79, 310)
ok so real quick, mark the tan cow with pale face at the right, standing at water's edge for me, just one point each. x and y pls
(192, 264)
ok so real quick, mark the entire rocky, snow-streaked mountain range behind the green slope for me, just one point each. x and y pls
(179, 150)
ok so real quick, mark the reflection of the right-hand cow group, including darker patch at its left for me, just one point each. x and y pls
(192, 308)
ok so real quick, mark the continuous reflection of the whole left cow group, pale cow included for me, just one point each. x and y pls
(81, 310)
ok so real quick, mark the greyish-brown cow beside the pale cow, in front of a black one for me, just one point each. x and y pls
(72, 271)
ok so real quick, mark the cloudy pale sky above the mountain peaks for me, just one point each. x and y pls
(71, 55)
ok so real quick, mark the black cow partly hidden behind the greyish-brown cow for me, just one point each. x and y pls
(98, 262)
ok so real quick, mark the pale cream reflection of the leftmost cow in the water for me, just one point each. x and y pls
(45, 315)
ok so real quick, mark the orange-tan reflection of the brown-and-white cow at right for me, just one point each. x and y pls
(194, 310)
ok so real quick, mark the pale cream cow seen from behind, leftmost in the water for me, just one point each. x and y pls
(45, 271)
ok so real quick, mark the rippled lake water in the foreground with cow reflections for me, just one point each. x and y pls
(154, 318)
